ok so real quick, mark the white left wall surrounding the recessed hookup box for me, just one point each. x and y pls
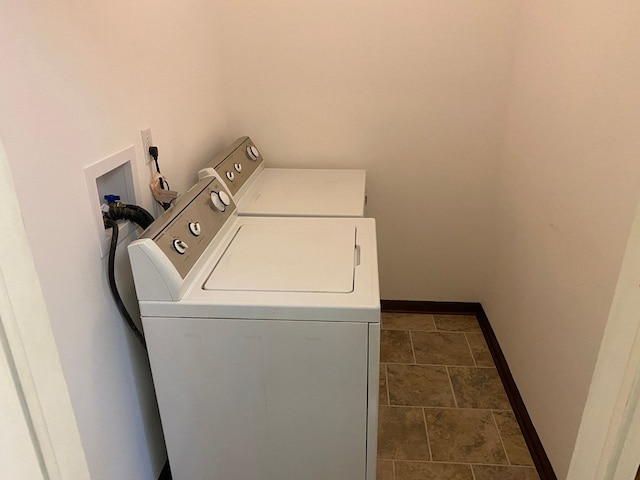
(79, 80)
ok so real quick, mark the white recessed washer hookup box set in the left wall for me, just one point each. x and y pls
(124, 158)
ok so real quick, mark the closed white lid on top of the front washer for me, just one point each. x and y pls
(288, 258)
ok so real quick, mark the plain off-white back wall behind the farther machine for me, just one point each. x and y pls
(415, 93)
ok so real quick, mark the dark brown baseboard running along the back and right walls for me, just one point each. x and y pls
(538, 454)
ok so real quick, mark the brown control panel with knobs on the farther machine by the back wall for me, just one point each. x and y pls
(236, 163)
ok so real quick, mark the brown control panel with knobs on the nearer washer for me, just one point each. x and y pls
(185, 230)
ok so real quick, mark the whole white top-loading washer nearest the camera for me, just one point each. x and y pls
(263, 338)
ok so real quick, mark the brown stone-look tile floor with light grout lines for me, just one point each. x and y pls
(444, 414)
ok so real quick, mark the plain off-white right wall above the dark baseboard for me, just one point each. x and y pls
(569, 186)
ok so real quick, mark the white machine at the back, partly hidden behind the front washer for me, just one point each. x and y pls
(261, 191)
